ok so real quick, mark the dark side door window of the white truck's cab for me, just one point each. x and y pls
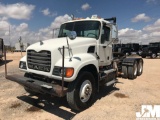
(105, 34)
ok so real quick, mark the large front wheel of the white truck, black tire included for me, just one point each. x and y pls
(81, 92)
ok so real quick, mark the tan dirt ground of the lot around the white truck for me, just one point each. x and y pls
(118, 103)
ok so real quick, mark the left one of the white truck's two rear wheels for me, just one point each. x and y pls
(132, 71)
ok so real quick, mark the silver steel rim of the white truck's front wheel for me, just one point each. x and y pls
(85, 91)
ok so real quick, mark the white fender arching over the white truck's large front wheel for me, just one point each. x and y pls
(78, 61)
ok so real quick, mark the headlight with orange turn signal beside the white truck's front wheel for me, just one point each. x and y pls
(68, 72)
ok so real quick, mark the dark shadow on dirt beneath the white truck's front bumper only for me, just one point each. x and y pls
(56, 106)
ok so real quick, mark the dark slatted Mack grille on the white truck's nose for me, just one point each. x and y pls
(40, 61)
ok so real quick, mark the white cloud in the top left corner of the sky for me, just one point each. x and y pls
(17, 10)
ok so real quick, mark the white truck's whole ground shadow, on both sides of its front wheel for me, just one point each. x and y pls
(59, 106)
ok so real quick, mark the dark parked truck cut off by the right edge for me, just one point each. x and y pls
(153, 50)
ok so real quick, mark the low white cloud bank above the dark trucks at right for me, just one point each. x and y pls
(149, 33)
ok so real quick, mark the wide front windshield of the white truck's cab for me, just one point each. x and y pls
(82, 28)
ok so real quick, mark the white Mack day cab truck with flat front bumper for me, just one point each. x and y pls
(76, 63)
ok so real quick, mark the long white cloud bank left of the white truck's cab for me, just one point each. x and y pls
(23, 30)
